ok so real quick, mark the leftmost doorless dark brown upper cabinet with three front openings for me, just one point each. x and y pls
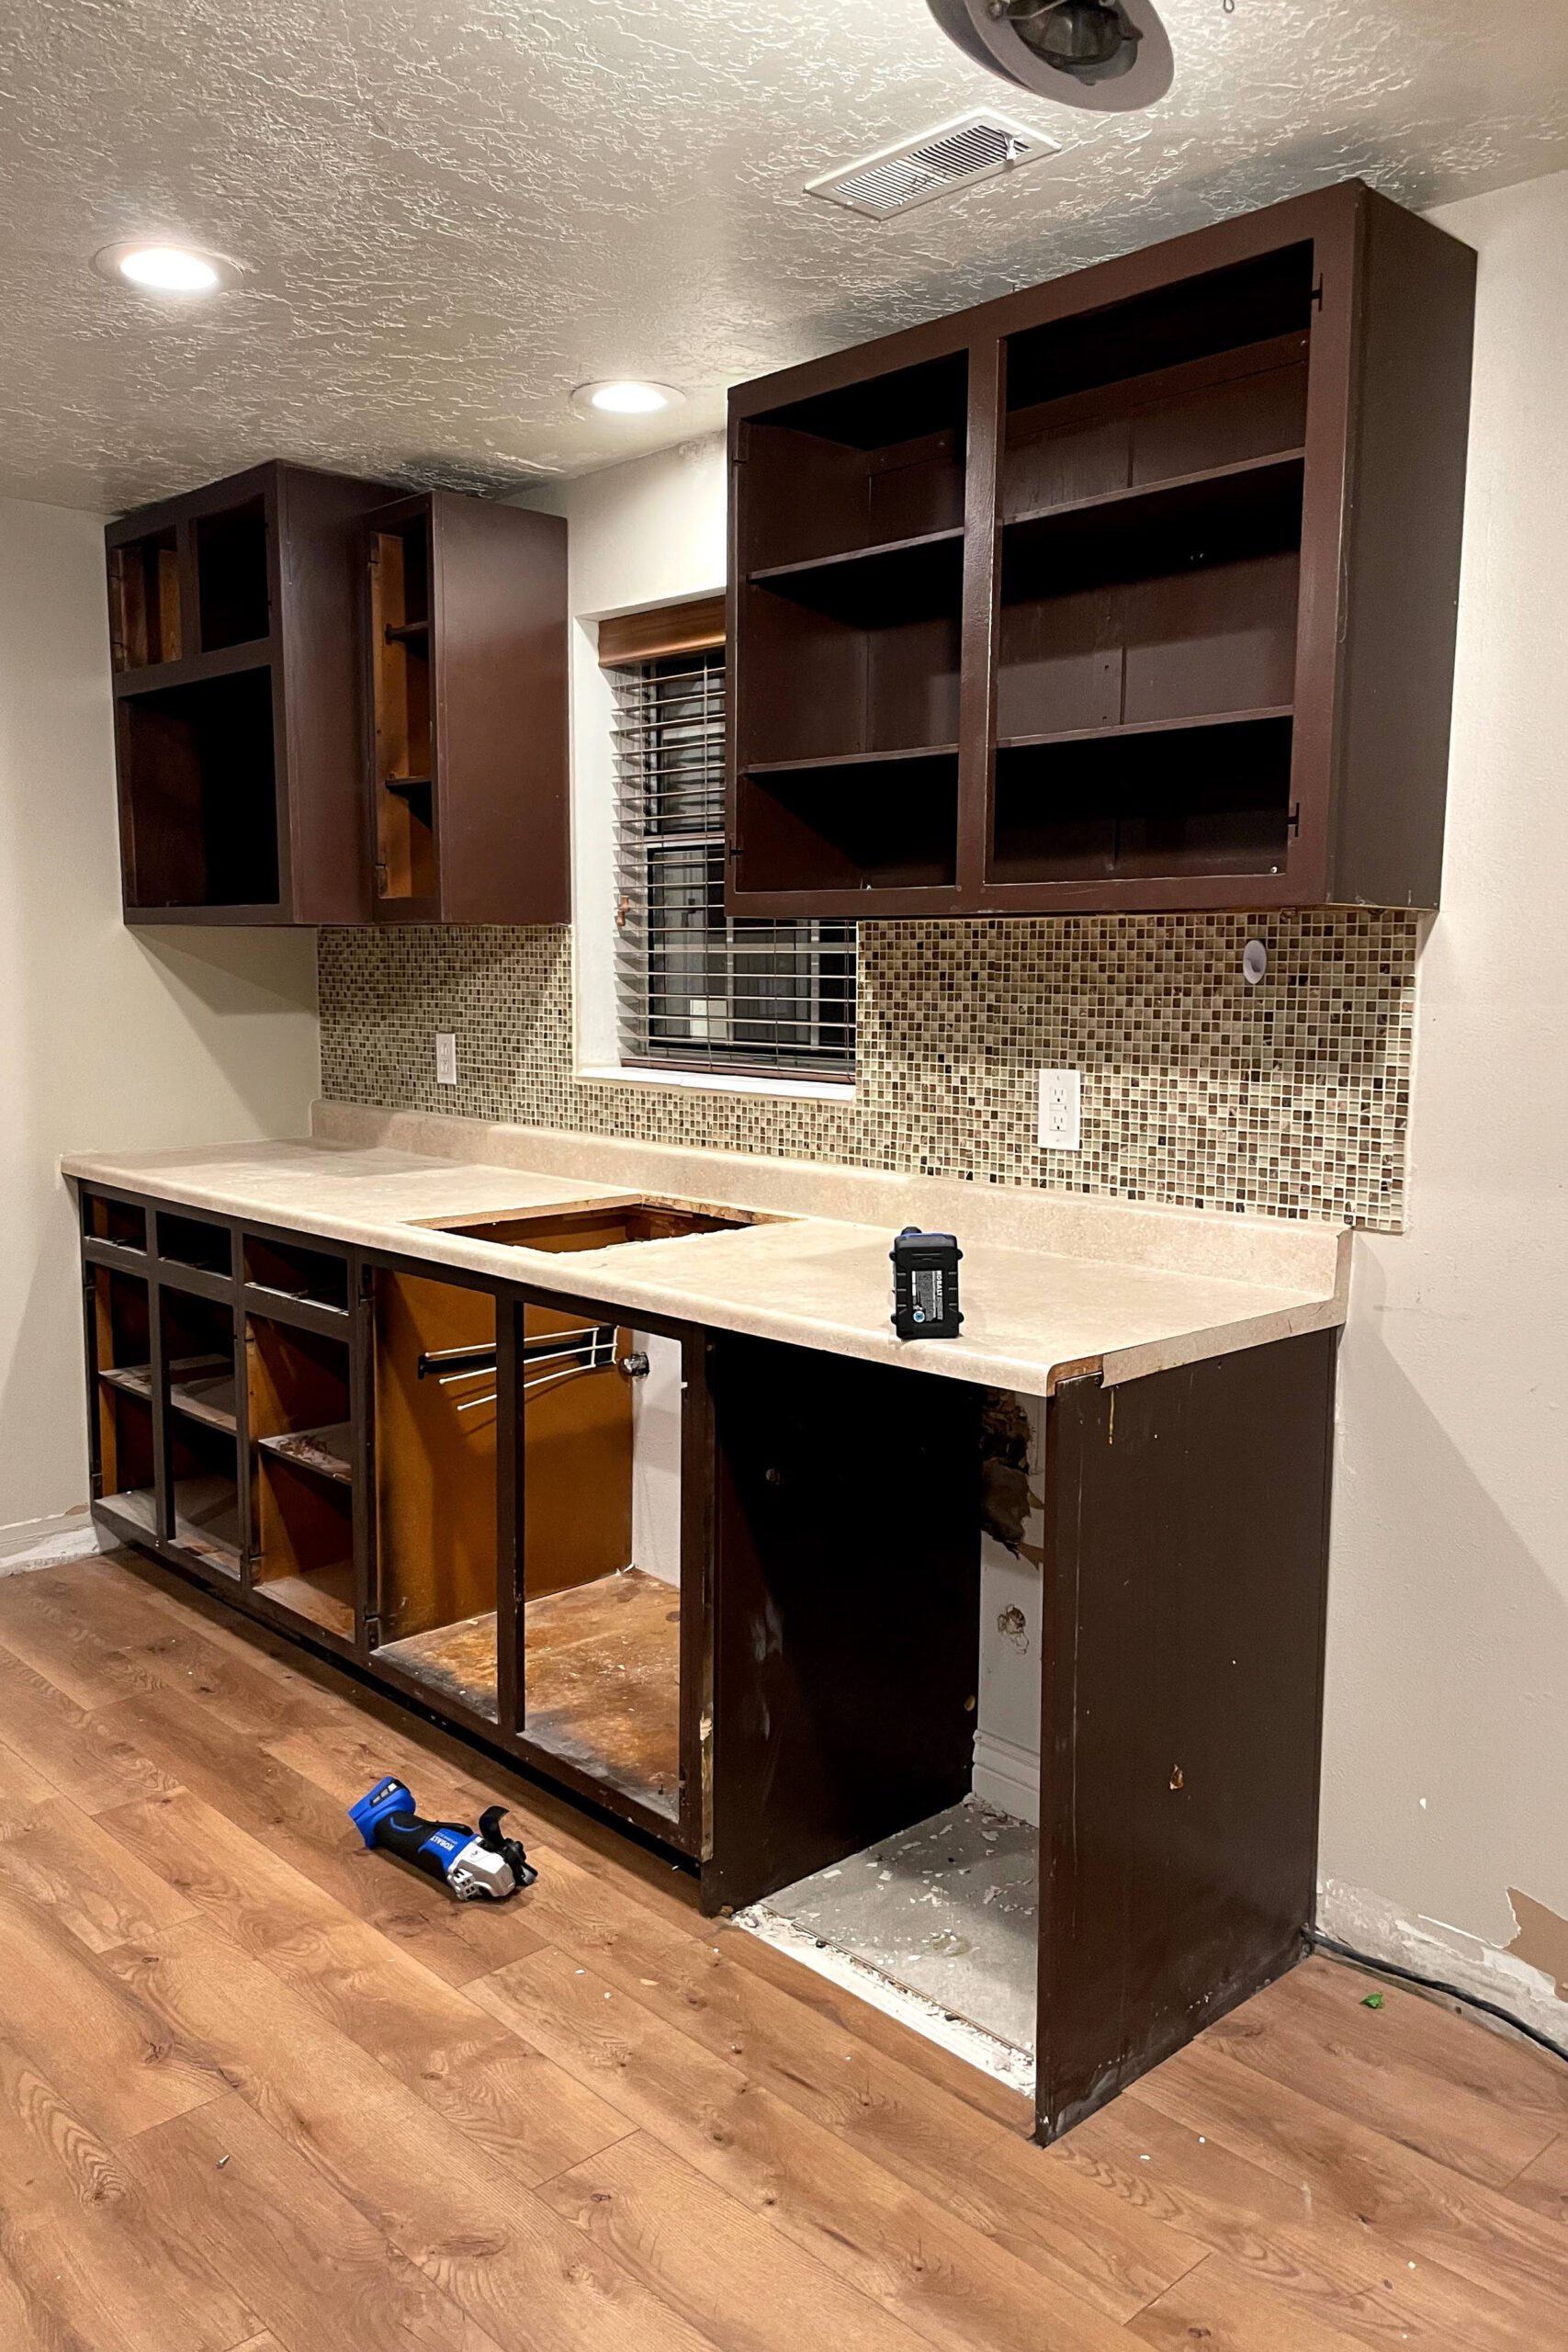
(239, 702)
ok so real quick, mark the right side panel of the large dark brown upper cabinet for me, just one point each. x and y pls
(1402, 587)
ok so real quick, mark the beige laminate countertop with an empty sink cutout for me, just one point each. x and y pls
(1052, 1285)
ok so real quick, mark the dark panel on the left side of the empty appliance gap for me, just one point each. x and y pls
(847, 1608)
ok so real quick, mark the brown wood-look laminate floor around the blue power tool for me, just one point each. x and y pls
(262, 2090)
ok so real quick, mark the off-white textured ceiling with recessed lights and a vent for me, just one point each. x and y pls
(455, 211)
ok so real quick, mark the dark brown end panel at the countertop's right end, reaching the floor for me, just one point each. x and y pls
(1186, 1577)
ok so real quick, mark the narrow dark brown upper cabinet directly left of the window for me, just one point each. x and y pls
(467, 636)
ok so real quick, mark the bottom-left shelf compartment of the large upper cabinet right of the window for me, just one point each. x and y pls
(887, 824)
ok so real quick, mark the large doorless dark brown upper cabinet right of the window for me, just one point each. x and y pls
(1130, 592)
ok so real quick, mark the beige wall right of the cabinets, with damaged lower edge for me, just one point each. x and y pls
(1447, 1756)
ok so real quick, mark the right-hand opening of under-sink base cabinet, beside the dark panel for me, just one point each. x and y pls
(601, 1415)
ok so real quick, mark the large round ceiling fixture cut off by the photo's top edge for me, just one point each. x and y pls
(1106, 55)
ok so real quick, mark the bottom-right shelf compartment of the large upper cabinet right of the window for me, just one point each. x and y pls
(1144, 806)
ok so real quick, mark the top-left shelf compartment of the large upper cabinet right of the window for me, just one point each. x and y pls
(859, 469)
